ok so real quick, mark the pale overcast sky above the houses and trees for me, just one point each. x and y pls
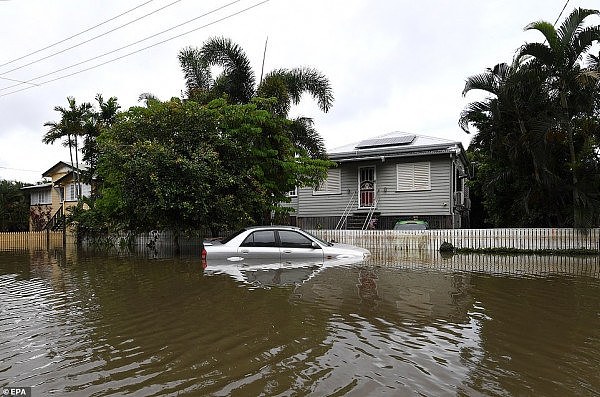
(394, 65)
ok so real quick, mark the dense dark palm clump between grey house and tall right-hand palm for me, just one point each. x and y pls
(519, 173)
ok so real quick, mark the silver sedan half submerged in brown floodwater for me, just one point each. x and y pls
(278, 244)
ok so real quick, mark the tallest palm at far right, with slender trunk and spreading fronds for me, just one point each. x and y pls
(560, 56)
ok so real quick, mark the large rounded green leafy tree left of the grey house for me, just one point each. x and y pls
(184, 166)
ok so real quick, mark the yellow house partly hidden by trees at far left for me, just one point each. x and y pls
(51, 200)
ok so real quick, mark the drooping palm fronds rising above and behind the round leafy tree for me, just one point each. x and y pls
(237, 82)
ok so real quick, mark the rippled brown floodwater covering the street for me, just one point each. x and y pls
(86, 324)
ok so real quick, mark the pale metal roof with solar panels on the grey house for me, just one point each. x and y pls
(396, 144)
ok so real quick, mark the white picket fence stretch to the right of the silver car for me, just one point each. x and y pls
(525, 238)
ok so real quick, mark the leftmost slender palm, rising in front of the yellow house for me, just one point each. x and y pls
(71, 125)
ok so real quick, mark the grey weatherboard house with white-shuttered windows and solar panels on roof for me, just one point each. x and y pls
(397, 176)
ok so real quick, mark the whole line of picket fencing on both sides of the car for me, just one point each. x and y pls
(374, 240)
